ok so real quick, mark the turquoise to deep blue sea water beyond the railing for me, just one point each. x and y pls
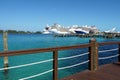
(31, 41)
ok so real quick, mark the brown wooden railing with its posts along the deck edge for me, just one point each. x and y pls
(93, 53)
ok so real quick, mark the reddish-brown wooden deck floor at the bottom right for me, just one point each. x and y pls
(105, 72)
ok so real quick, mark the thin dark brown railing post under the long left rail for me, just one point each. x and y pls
(55, 65)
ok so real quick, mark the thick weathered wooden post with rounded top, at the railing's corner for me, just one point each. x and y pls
(93, 55)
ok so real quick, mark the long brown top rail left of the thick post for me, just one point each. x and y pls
(33, 51)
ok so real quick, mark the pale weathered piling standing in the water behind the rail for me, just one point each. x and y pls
(5, 39)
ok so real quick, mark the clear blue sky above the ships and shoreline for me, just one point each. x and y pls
(34, 15)
